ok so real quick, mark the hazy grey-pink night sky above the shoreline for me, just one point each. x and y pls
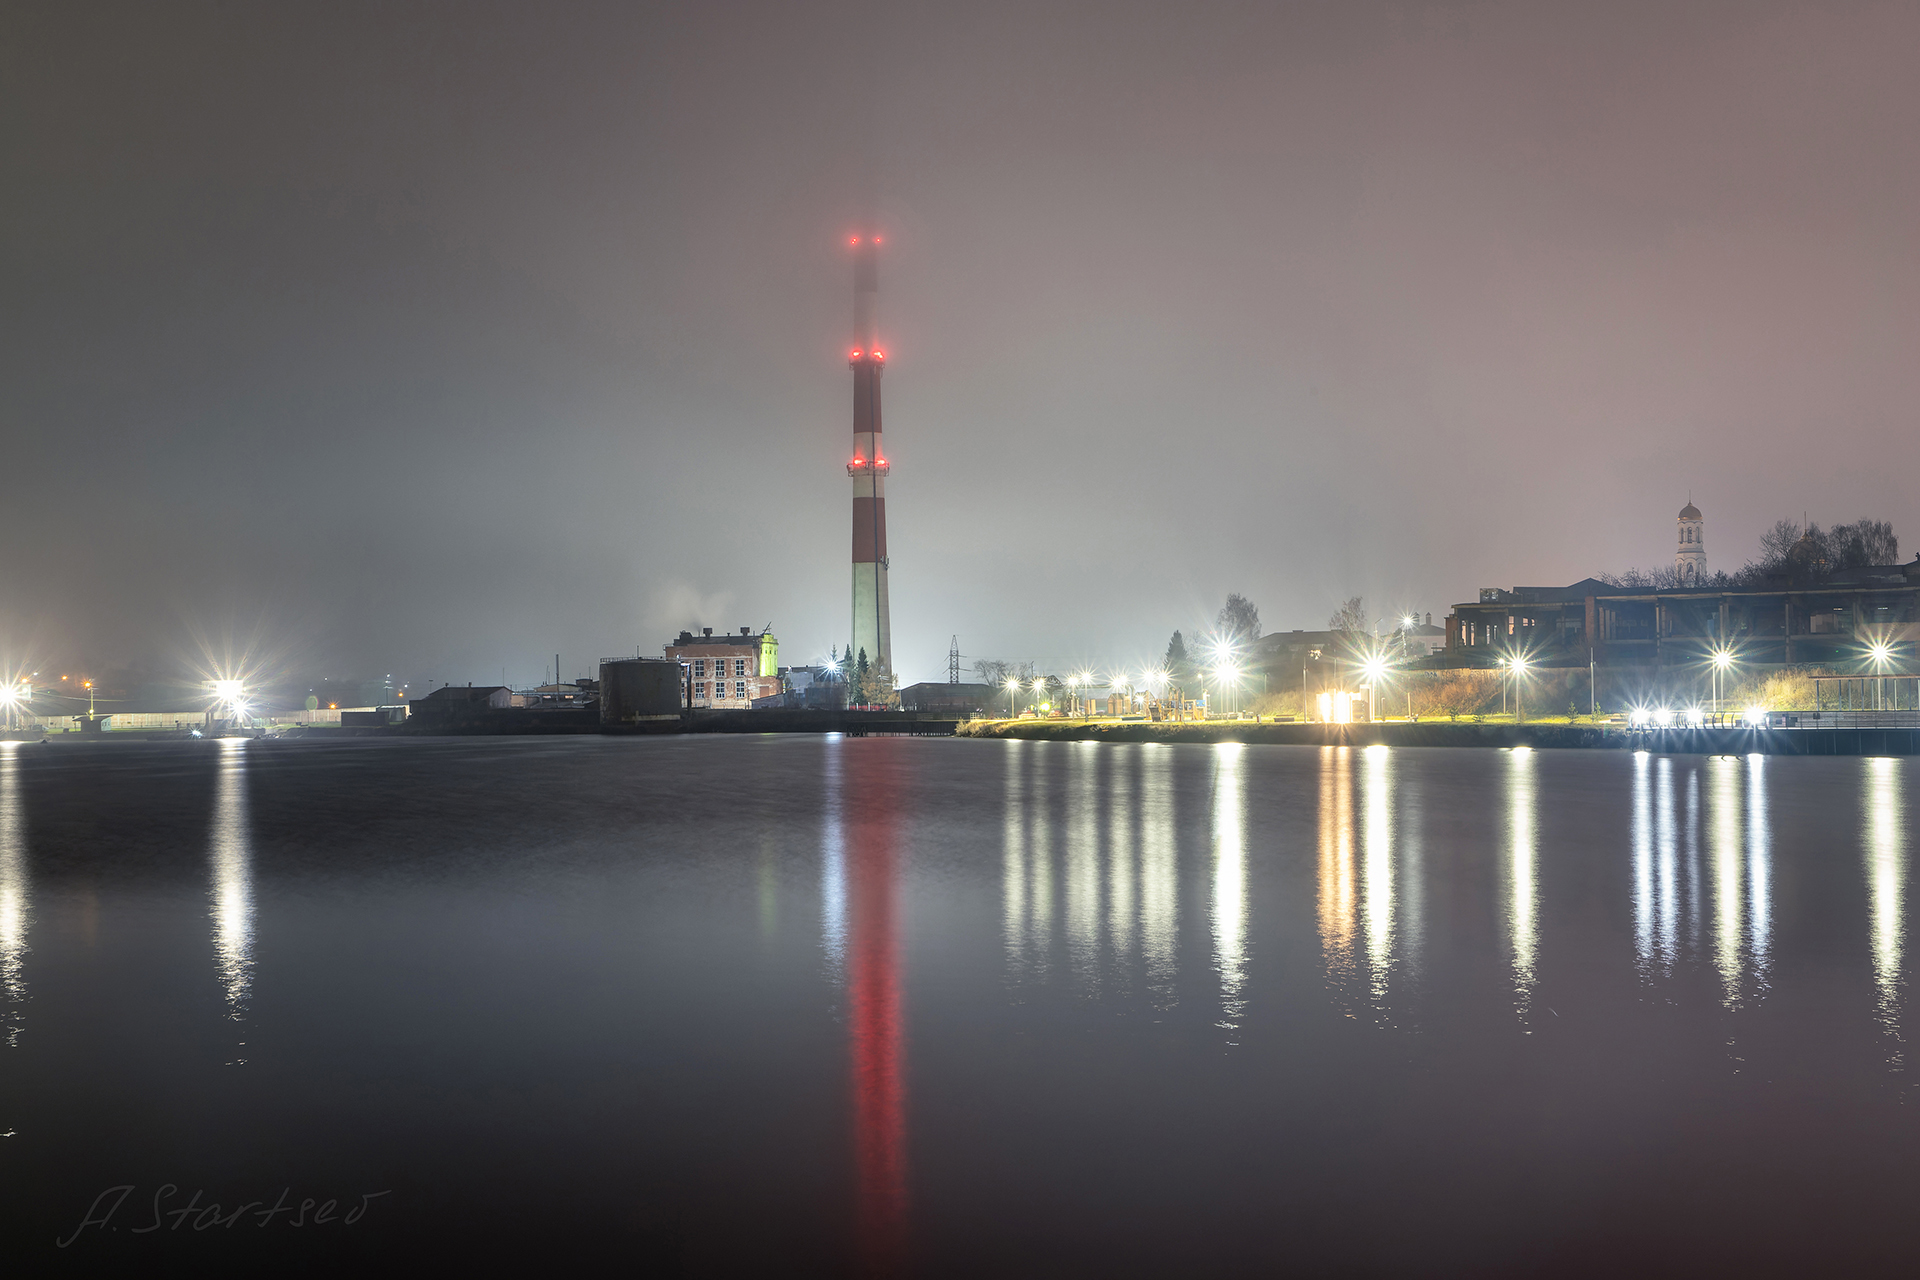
(439, 339)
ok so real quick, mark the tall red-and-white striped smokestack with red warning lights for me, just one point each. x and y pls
(873, 630)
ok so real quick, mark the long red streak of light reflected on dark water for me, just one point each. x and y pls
(876, 1037)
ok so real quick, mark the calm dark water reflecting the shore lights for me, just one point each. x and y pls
(796, 1005)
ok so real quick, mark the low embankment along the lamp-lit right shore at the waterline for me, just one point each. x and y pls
(1714, 742)
